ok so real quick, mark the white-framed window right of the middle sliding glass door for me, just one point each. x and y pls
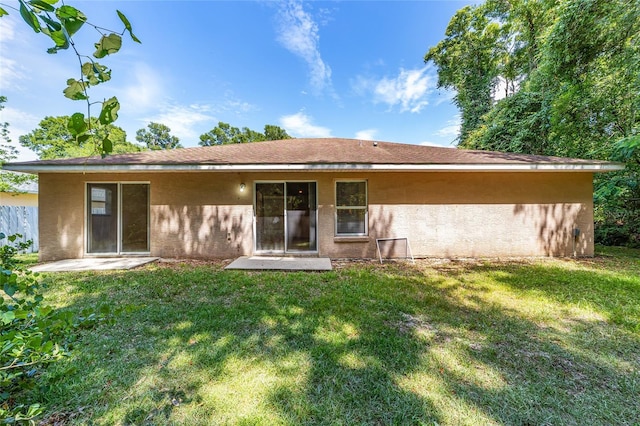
(351, 207)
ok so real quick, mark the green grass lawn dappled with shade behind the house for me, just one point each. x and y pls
(526, 343)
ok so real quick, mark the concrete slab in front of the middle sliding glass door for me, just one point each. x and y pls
(281, 263)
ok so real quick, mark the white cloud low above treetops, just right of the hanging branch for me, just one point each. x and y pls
(182, 120)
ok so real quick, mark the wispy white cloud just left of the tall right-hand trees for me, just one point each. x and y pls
(409, 89)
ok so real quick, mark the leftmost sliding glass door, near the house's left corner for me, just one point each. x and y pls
(117, 218)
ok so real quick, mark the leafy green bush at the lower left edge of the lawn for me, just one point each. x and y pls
(32, 334)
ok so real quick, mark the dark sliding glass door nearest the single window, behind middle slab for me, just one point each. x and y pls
(286, 217)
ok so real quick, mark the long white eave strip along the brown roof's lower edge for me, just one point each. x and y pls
(343, 167)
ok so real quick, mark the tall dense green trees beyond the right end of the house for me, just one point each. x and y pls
(553, 78)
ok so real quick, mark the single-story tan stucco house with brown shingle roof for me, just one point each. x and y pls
(315, 197)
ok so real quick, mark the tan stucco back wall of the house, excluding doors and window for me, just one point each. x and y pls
(443, 214)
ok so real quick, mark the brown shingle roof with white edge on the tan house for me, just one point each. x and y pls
(309, 152)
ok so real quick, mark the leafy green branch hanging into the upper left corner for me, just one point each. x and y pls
(60, 24)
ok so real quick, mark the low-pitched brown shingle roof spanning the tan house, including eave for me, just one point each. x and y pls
(323, 154)
